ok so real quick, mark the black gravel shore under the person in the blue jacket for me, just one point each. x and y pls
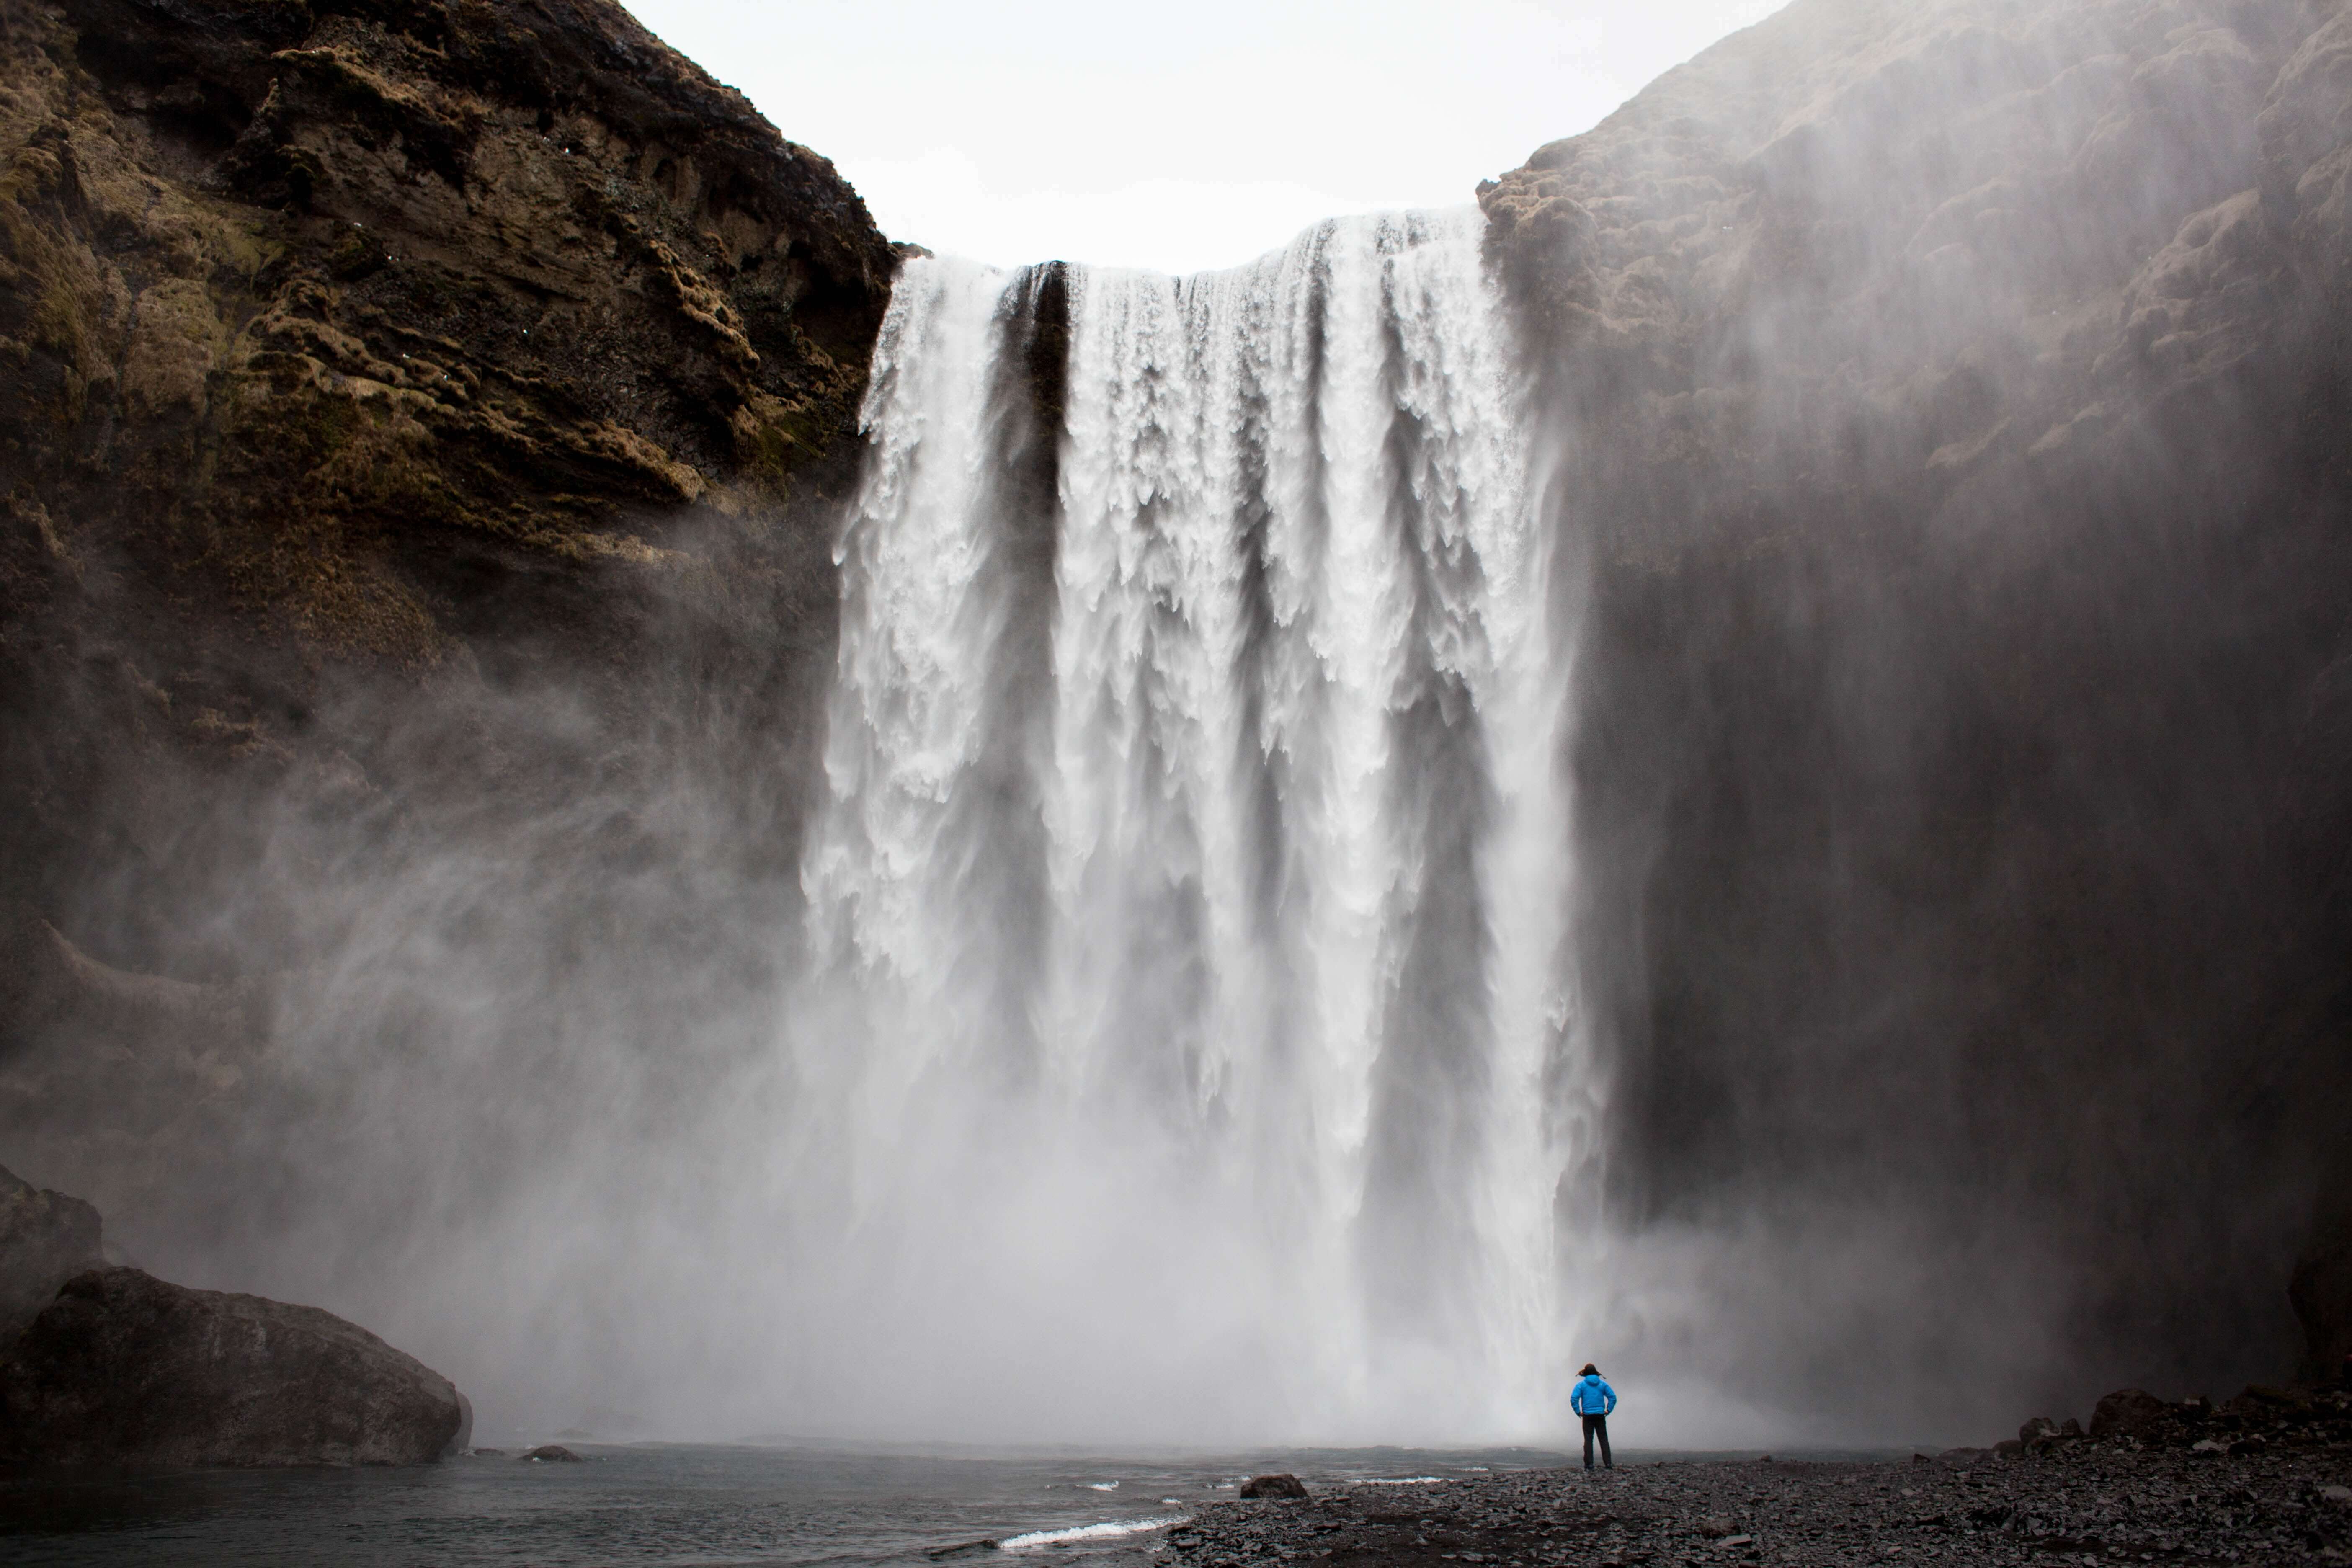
(2085, 1503)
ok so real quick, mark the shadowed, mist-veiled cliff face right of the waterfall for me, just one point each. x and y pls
(1951, 406)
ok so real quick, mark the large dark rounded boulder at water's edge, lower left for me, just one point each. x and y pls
(126, 1369)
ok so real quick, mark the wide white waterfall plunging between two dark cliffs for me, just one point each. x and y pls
(1187, 902)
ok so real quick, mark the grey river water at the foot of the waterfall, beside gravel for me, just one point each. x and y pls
(674, 1503)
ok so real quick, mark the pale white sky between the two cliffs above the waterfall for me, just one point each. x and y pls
(1177, 138)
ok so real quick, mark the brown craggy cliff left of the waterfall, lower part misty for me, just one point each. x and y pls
(422, 434)
